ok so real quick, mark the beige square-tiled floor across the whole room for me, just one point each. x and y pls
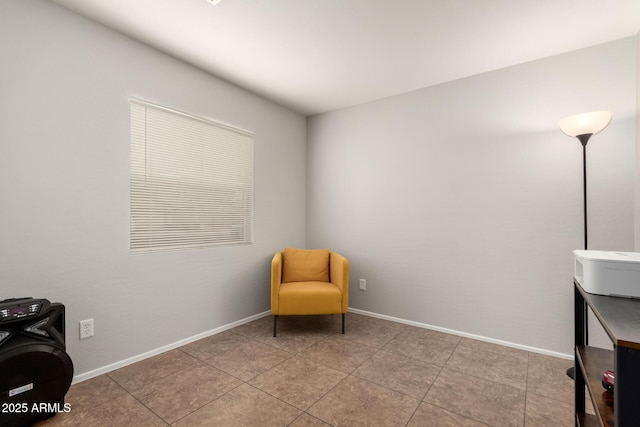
(379, 373)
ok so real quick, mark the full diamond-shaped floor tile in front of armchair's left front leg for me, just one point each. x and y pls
(298, 381)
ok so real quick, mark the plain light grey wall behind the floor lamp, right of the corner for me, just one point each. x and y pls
(461, 203)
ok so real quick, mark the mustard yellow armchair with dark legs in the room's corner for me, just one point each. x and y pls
(309, 282)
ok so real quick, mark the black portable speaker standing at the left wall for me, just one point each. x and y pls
(35, 369)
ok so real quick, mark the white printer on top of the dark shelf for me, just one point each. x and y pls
(608, 272)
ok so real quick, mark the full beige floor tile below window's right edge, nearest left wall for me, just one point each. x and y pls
(248, 359)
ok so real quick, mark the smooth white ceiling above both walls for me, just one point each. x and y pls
(315, 56)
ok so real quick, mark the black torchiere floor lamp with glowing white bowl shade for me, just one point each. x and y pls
(583, 126)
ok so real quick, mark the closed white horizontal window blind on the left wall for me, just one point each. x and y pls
(191, 181)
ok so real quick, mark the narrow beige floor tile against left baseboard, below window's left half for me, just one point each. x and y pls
(140, 374)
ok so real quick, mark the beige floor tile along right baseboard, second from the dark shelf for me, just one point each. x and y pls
(493, 366)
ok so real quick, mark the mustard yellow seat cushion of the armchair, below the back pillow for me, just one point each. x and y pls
(310, 298)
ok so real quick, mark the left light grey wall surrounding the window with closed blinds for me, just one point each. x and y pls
(65, 83)
